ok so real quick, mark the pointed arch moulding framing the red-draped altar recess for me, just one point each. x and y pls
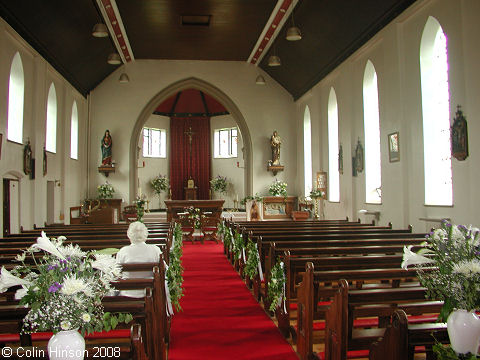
(218, 95)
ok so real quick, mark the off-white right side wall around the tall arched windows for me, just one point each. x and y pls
(395, 55)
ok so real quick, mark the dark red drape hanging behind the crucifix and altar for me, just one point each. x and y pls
(184, 163)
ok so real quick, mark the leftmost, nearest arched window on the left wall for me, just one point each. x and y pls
(16, 95)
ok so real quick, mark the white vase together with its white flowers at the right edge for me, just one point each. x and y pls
(449, 267)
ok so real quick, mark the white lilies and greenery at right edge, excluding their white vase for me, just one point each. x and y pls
(449, 266)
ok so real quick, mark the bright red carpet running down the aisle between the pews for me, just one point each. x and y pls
(220, 318)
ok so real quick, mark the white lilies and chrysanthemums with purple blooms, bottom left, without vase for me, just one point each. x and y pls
(65, 287)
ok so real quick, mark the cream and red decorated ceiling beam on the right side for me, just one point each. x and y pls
(273, 26)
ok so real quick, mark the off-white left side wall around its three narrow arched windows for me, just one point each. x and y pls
(39, 75)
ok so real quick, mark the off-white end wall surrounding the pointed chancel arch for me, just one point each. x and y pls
(117, 107)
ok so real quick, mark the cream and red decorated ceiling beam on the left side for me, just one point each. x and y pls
(114, 22)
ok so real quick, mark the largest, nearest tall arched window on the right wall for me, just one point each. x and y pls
(436, 112)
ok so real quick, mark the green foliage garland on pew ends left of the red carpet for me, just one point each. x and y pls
(174, 273)
